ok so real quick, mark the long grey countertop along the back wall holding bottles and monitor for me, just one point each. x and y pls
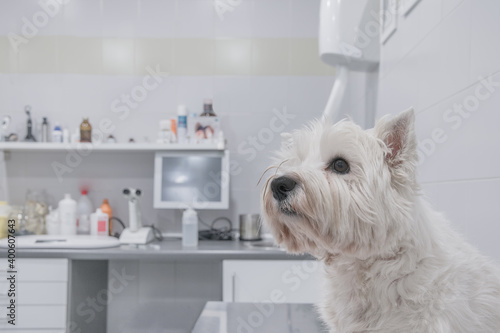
(166, 250)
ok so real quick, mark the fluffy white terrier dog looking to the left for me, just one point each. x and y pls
(350, 198)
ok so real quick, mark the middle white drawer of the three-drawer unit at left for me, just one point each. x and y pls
(36, 293)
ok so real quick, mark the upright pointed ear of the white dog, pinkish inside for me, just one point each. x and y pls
(398, 134)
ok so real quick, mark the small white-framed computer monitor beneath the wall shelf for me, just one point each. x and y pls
(197, 179)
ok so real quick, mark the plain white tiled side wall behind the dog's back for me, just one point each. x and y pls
(435, 62)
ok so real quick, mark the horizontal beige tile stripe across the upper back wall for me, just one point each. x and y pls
(122, 56)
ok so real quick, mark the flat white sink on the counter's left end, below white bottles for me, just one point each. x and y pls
(62, 242)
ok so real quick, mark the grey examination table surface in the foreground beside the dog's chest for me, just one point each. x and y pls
(220, 317)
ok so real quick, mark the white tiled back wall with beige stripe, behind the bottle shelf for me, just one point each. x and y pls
(69, 73)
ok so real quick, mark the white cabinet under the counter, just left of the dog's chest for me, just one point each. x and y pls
(277, 281)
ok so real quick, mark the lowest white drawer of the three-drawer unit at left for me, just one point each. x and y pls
(51, 317)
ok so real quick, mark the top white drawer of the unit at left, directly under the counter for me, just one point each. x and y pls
(37, 269)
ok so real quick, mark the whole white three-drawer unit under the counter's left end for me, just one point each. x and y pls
(41, 295)
